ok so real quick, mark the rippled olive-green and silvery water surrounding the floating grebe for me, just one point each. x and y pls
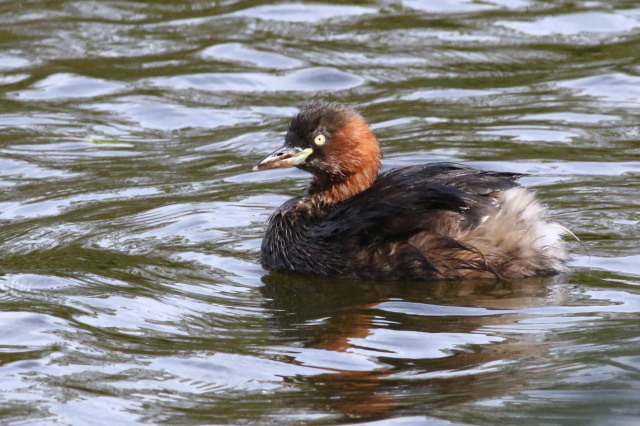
(130, 221)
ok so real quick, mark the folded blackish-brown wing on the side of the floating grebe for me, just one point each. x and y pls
(404, 201)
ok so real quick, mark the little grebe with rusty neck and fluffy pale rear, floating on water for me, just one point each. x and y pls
(441, 220)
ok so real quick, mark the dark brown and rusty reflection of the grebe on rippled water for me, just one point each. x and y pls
(338, 315)
